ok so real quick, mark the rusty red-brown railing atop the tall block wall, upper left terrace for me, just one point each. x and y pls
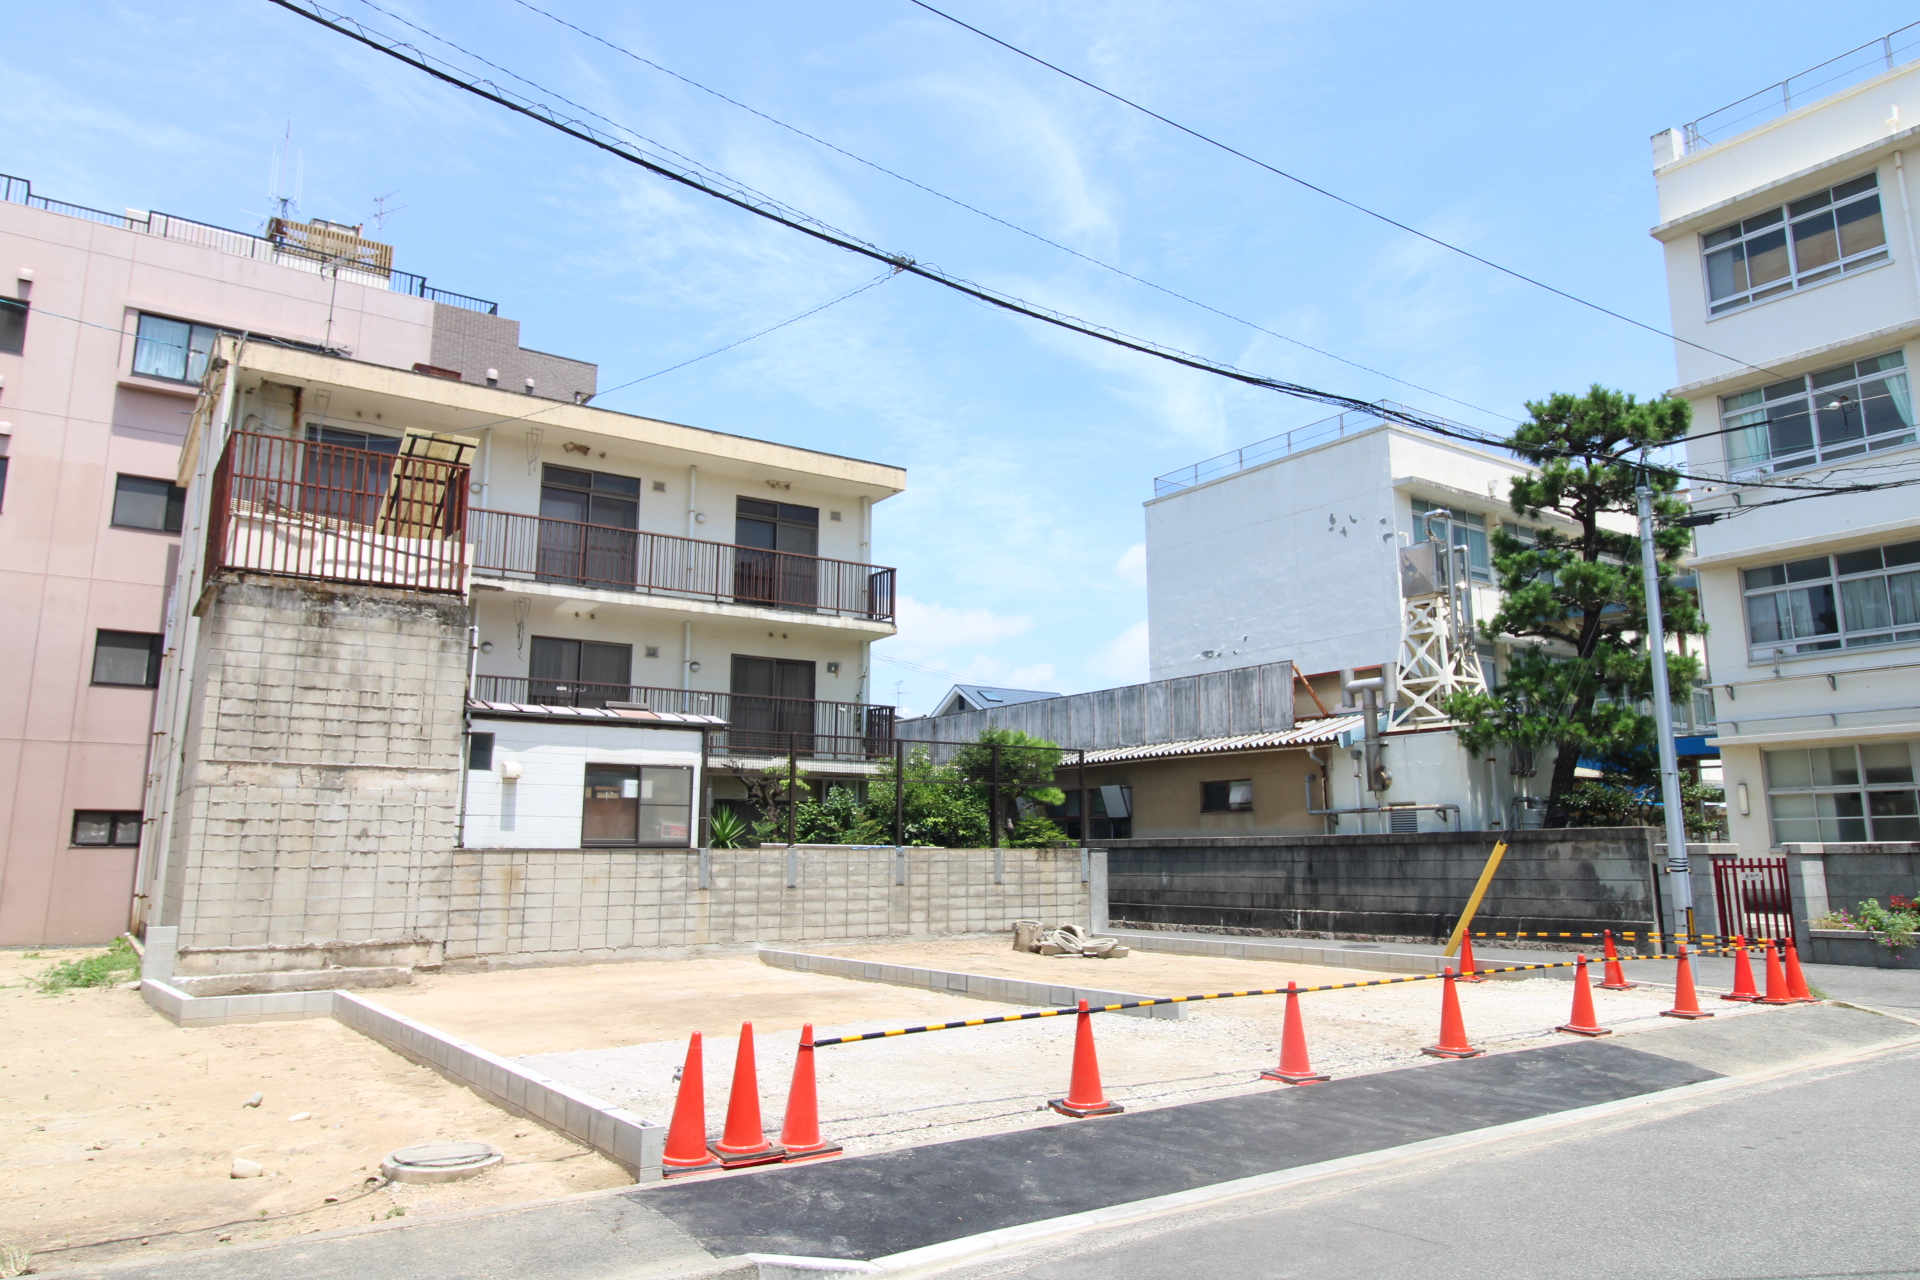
(304, 510)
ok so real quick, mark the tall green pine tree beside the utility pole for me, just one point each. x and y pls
(1575, 602)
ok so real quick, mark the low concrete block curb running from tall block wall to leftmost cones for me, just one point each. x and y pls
(619, 1135)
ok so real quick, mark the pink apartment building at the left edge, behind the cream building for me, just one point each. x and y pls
(105, 331)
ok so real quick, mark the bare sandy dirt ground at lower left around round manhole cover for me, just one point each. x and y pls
(122, 1127)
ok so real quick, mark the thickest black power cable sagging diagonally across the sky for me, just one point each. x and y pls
(775, 212)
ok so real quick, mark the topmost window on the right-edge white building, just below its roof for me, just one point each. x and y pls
(1798, 245)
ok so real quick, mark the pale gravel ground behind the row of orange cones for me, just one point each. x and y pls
(990, 1079)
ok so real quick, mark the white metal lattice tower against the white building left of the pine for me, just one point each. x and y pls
(1437, 653)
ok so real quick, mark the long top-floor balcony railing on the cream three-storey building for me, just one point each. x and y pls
(610, 559)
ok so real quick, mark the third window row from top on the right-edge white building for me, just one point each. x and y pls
(1852, 600)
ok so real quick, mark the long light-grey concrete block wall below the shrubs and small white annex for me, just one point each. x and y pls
(564, 905)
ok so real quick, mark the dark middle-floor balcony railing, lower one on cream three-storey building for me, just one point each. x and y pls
(757, 726)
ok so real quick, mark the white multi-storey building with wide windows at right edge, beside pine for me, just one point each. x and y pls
(1794, 279)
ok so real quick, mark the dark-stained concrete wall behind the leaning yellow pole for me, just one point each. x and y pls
(1395, 886)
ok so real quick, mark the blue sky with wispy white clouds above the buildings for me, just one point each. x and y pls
(1514, 130)
